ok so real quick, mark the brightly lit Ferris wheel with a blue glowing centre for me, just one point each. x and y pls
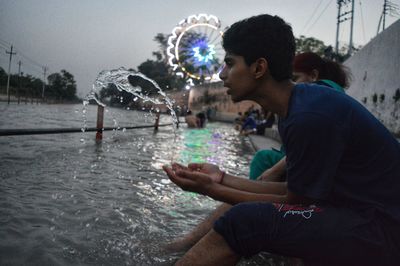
(194, 48)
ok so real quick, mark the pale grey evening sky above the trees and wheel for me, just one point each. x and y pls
(87, 36)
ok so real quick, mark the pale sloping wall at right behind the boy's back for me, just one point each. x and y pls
(376, 70)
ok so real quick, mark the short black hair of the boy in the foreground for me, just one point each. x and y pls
(265, 36)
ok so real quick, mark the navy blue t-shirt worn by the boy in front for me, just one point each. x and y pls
(338, 153)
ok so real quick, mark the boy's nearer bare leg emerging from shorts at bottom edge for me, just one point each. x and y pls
(212, 249)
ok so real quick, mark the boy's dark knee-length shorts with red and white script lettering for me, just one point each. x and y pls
(318, 235)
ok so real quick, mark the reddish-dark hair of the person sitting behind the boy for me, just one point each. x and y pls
(327, 69)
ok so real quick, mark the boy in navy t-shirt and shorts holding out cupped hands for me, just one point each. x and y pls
(340, 204)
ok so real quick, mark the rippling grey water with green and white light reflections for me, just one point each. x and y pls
(67, 200)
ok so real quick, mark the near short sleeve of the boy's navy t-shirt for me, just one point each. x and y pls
(314, 149)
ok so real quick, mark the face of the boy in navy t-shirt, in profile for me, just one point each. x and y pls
(237, 77)
